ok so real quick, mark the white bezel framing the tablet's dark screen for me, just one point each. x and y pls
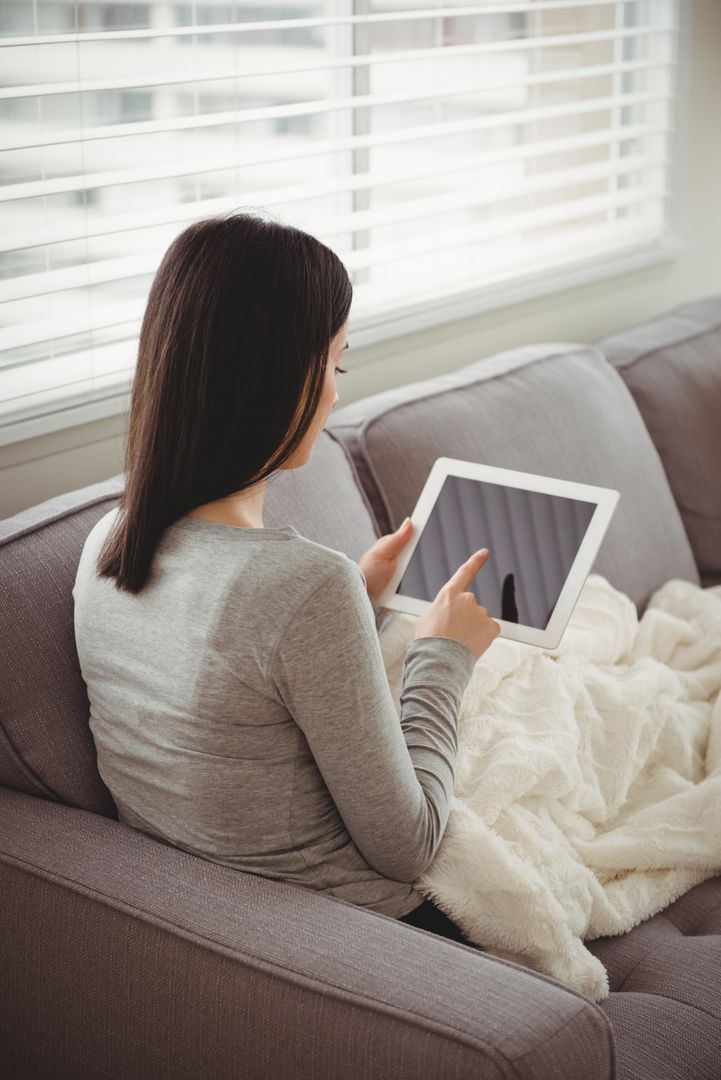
(605, 498)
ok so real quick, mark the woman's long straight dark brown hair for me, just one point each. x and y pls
(232, 364)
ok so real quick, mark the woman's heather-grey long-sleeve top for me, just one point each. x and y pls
(241, 711)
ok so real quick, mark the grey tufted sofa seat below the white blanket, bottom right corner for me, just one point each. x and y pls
(665, 982)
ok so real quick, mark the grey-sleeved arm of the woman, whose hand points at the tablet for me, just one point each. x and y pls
(392, 782)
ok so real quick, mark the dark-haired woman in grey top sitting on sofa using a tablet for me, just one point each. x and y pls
(239, 703)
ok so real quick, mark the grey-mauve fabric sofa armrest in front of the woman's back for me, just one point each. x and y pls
(123, 956)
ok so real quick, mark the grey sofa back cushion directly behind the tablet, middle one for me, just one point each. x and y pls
(559, 410)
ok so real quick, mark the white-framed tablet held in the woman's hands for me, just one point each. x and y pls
(543, 535)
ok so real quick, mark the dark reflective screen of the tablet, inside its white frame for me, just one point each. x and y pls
(533, 537)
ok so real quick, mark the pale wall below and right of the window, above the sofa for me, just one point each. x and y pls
(40, 468)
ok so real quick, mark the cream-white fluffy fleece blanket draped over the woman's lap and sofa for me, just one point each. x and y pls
(588, 790)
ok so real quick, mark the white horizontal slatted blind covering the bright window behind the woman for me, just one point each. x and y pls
(439, 151)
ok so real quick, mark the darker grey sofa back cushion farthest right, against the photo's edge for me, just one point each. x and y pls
(673, 368)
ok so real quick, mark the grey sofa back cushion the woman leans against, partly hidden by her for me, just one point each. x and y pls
(47, 747)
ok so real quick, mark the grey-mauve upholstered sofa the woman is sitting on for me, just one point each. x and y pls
(125, 958)
